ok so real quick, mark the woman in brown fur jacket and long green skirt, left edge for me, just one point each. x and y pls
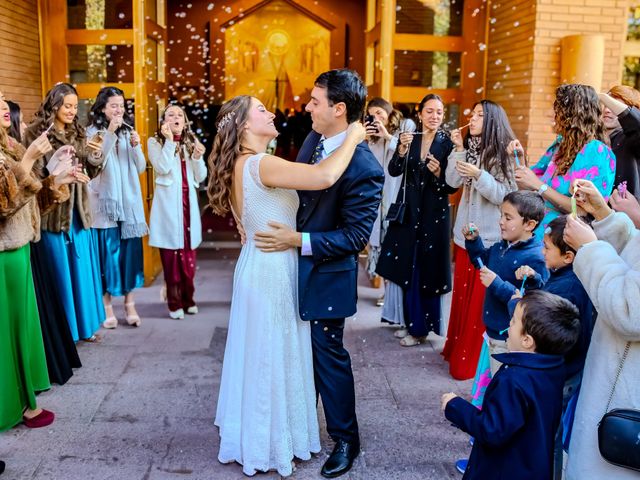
(23, 367)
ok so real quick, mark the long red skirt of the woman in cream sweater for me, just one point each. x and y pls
(464, 336)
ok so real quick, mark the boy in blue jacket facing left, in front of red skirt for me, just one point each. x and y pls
(521, 212)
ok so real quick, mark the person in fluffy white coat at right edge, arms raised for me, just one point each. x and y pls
(608, 265)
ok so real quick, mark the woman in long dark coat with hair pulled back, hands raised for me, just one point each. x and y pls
(415, 253)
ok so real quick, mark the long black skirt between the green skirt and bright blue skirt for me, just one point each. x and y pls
(59, 346)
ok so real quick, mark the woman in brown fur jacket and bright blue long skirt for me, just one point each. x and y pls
(67, 255)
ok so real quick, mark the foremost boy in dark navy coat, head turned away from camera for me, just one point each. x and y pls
(514, 432)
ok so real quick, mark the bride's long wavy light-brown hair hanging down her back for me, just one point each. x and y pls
(227, 147)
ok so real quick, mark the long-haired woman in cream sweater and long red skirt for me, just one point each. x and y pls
(481, 164)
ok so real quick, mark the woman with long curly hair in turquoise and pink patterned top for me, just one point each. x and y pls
(580, 151)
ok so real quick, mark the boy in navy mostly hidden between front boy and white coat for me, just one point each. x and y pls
(563, 282)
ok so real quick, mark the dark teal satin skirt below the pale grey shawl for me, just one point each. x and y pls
(120, 261)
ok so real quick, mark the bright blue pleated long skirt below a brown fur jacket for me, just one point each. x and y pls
(73, 263)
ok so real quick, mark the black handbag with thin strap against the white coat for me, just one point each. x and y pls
(619, 431)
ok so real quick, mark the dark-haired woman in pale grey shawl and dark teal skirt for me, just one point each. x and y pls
(118, 209)
